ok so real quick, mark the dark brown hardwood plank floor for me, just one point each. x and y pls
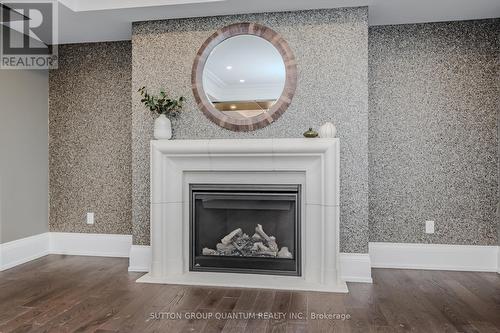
(89, 294)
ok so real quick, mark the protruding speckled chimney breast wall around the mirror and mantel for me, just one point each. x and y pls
(331, 47)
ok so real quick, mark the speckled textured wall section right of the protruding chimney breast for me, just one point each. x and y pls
(433, 140)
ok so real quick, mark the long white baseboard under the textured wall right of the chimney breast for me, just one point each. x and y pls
(434, 256)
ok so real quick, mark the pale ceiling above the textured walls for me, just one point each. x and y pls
(106, 20)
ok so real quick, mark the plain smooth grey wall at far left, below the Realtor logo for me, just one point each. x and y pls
(24, 153)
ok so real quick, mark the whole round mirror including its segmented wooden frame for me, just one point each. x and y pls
(244, 77)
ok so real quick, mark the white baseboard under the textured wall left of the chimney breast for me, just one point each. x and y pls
(81, 244)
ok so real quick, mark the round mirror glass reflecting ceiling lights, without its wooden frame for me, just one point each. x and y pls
(244, 76)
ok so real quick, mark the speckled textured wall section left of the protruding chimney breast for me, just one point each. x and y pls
(90, 138)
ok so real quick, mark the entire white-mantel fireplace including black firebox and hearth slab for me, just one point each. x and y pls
(300, 195)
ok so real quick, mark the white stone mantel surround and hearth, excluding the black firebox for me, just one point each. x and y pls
(313, 163)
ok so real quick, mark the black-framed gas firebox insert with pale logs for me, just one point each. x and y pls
(245, 228)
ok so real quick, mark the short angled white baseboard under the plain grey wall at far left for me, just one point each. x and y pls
(23, 250)
